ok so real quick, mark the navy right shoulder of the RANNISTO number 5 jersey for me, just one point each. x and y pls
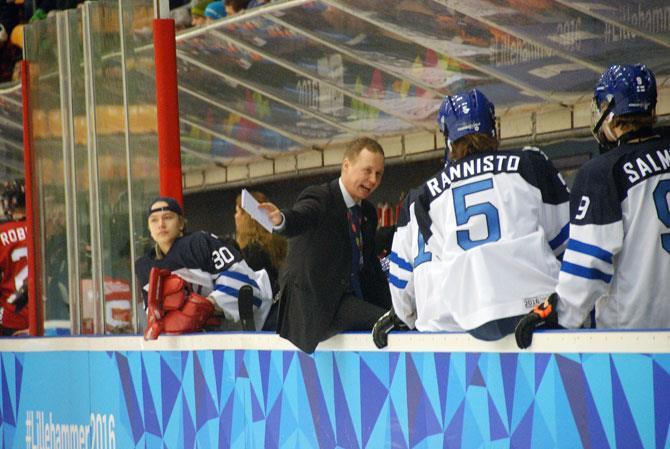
(536, 169)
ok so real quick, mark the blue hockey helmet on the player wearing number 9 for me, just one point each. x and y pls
(623, 89)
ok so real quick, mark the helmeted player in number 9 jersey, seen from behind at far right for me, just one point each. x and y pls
(618, 256)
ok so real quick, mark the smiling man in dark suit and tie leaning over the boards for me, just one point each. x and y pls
(333, 281)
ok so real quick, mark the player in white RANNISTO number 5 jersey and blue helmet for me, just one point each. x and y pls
(480, 247)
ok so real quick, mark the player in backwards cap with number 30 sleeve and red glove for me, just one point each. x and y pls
(214, 274)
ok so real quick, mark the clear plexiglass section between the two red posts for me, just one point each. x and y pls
(94, 121)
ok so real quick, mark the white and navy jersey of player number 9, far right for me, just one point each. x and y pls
(618, 254)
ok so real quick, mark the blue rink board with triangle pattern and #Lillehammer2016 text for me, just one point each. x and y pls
(285, 399)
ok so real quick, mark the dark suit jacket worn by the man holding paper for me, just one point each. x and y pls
(318, 264)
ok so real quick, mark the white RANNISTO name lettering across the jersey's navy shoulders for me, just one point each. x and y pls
(492, 163)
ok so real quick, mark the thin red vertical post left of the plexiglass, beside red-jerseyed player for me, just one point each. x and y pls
(36, 317)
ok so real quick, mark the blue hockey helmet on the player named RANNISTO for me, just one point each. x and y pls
(464, 114)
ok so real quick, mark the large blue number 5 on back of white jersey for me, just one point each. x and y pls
(464, 213)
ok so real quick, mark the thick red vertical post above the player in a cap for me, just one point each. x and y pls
(167, 105)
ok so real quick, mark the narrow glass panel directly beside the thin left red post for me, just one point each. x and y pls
(41, 49)
